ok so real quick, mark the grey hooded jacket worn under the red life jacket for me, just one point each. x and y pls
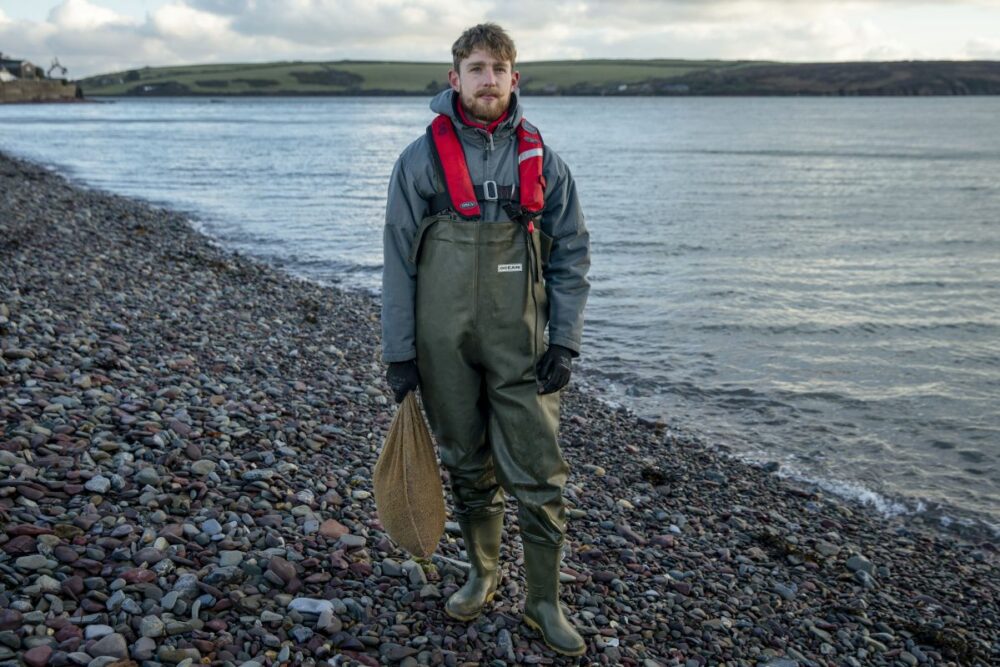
(414, 180)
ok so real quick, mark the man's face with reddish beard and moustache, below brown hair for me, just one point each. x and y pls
(484, 85)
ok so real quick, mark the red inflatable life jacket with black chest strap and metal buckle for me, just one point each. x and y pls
(463, 197)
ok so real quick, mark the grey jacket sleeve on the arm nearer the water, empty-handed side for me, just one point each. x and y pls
(566, 274)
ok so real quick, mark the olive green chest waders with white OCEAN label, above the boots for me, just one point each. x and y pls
(481, 313)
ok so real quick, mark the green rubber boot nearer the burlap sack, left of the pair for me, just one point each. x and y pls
(482, 542)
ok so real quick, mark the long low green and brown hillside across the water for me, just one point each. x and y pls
(566, 77)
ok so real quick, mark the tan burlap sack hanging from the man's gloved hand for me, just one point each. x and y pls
(407, 481)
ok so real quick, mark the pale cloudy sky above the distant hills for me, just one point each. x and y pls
(95, 36)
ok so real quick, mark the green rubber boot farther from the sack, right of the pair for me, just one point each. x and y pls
(541, 608)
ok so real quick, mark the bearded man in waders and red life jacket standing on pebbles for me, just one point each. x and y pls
(485, 244)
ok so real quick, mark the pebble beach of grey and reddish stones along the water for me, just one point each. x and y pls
(170, 403)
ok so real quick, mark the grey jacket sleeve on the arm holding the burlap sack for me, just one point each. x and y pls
(403, 212)
